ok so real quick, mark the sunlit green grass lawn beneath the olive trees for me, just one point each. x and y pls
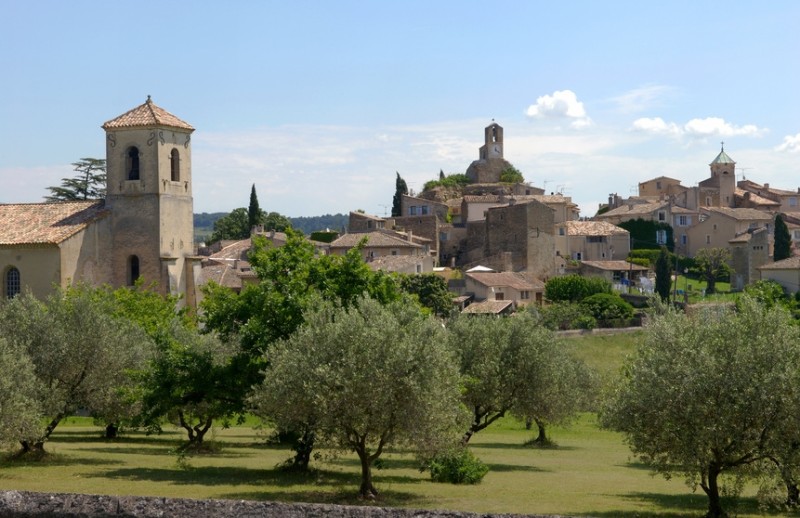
(589, 473)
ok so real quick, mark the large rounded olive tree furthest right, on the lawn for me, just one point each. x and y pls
(709, 394)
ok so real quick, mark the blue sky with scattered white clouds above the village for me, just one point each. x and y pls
(320, 103)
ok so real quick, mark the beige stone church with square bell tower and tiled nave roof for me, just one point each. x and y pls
(142, 230)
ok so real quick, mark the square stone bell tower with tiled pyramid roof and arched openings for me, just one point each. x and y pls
(149, 195)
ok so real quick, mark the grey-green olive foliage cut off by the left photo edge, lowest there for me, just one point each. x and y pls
(19, 406)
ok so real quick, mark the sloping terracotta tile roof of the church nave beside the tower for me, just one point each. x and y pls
(46, 223)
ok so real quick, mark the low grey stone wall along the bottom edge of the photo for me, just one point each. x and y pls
(26, 504)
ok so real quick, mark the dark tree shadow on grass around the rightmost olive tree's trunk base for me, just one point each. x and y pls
(685, 505)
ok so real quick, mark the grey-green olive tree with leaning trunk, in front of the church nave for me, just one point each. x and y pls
(80, 352)
